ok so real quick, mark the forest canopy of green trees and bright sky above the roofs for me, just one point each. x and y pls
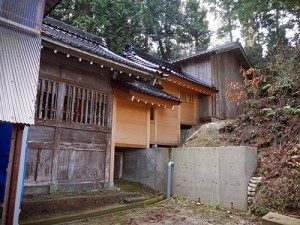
(175, 28)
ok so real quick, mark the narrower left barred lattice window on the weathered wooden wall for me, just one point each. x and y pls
(46, 102)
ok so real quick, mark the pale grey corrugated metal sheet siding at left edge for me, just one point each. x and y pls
(19, 66)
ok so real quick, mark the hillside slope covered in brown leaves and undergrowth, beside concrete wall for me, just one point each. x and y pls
(271, 122)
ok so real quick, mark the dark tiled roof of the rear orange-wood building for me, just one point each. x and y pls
(144, 59)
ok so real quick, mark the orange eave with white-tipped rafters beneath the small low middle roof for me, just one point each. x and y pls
(141, 98)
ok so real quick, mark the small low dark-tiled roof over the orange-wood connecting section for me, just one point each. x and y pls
(148, 89)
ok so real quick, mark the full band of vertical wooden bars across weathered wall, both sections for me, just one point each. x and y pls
(80, 105)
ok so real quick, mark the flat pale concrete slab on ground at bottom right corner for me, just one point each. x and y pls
(278, 219)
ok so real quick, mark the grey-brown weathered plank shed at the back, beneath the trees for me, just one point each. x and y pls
(214, 66)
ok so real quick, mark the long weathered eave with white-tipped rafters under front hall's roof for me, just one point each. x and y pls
(93, 58)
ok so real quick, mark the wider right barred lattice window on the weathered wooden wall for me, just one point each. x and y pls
(85, 106)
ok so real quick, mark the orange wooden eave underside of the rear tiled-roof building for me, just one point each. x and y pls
(183, 83)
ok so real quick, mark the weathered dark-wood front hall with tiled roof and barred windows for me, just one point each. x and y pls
(70, 147)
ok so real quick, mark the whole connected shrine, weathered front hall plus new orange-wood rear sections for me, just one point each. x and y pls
(91, 102)
